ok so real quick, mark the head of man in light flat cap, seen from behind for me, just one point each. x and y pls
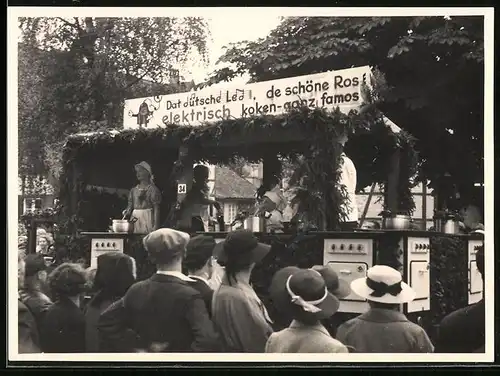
(166, 248)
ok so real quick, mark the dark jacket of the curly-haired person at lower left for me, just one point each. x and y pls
(63, 328)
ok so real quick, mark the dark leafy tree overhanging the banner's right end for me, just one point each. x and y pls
(433, 67)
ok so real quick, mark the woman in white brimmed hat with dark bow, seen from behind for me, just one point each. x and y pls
(384, 329)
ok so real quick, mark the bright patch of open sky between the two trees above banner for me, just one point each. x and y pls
(227, 30)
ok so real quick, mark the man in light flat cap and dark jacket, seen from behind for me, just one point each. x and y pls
(165, 311)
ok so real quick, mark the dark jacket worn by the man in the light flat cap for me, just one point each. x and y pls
(164, 310)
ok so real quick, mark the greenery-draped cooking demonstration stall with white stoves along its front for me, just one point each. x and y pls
(98, 176)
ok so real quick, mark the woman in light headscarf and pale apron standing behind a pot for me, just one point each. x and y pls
(144, 201)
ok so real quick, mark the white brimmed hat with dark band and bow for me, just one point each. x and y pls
(383, 284)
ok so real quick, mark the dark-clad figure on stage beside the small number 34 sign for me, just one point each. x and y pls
(194, 210)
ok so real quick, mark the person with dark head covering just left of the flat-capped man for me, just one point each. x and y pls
(115, 273)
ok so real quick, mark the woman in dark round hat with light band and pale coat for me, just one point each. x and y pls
(307, 296)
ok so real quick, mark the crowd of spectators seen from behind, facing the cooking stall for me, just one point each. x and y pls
(178, 310)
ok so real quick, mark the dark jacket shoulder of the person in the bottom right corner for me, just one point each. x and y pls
(462, 331)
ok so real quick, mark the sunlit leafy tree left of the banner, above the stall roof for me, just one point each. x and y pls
(74, 74)
